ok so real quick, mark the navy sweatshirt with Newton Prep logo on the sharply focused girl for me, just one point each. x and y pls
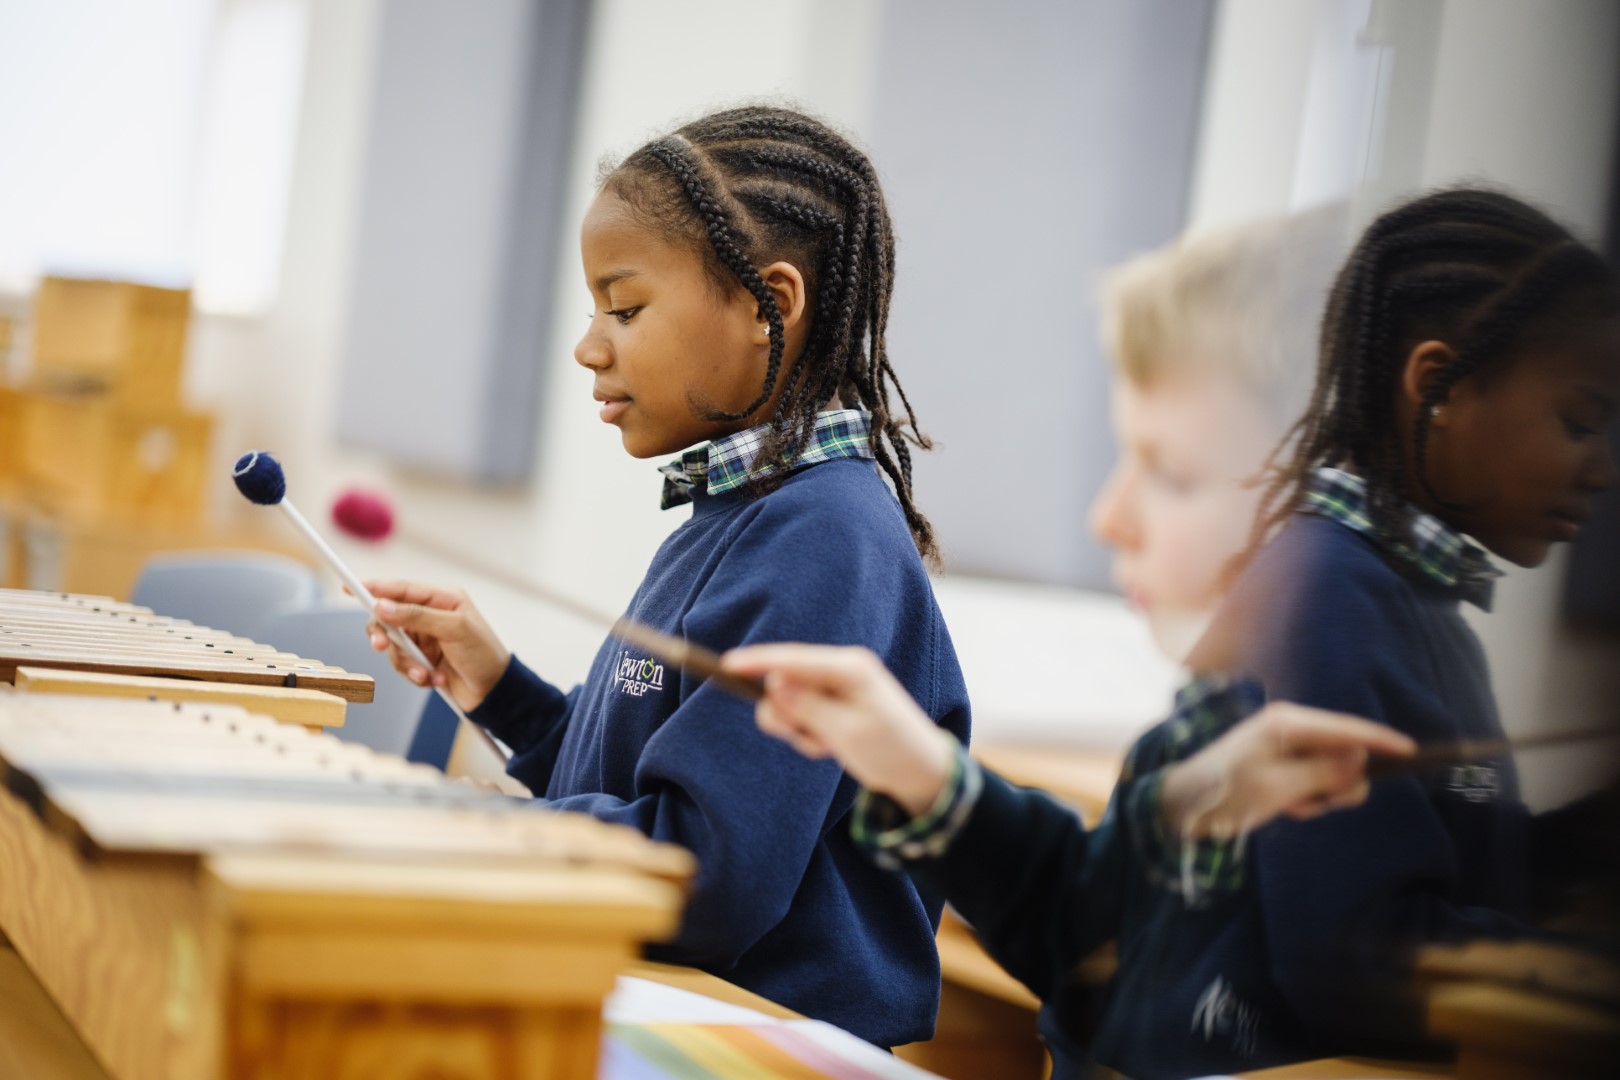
(785, 904)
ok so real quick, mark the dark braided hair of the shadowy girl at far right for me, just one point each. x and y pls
(1472, 268)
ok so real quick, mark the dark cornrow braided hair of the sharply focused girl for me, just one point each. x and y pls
(748, 187)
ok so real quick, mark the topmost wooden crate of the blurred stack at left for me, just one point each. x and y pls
(129, 339)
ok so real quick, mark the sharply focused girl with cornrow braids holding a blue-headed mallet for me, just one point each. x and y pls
(743, 270)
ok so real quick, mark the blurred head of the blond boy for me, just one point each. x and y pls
(1214, 344)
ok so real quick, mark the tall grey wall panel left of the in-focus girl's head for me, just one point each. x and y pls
(463, 187)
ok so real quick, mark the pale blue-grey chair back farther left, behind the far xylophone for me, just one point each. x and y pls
(232, 592)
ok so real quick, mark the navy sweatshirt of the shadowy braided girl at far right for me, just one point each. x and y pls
(1329, 619)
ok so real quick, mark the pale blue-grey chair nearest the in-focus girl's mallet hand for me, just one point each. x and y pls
(338, 636)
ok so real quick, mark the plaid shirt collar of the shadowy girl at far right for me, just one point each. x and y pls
(1438, 551)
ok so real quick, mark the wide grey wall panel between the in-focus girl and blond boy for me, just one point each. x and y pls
(1025, 148)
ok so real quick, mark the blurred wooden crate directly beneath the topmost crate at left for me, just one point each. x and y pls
(98, 457)
